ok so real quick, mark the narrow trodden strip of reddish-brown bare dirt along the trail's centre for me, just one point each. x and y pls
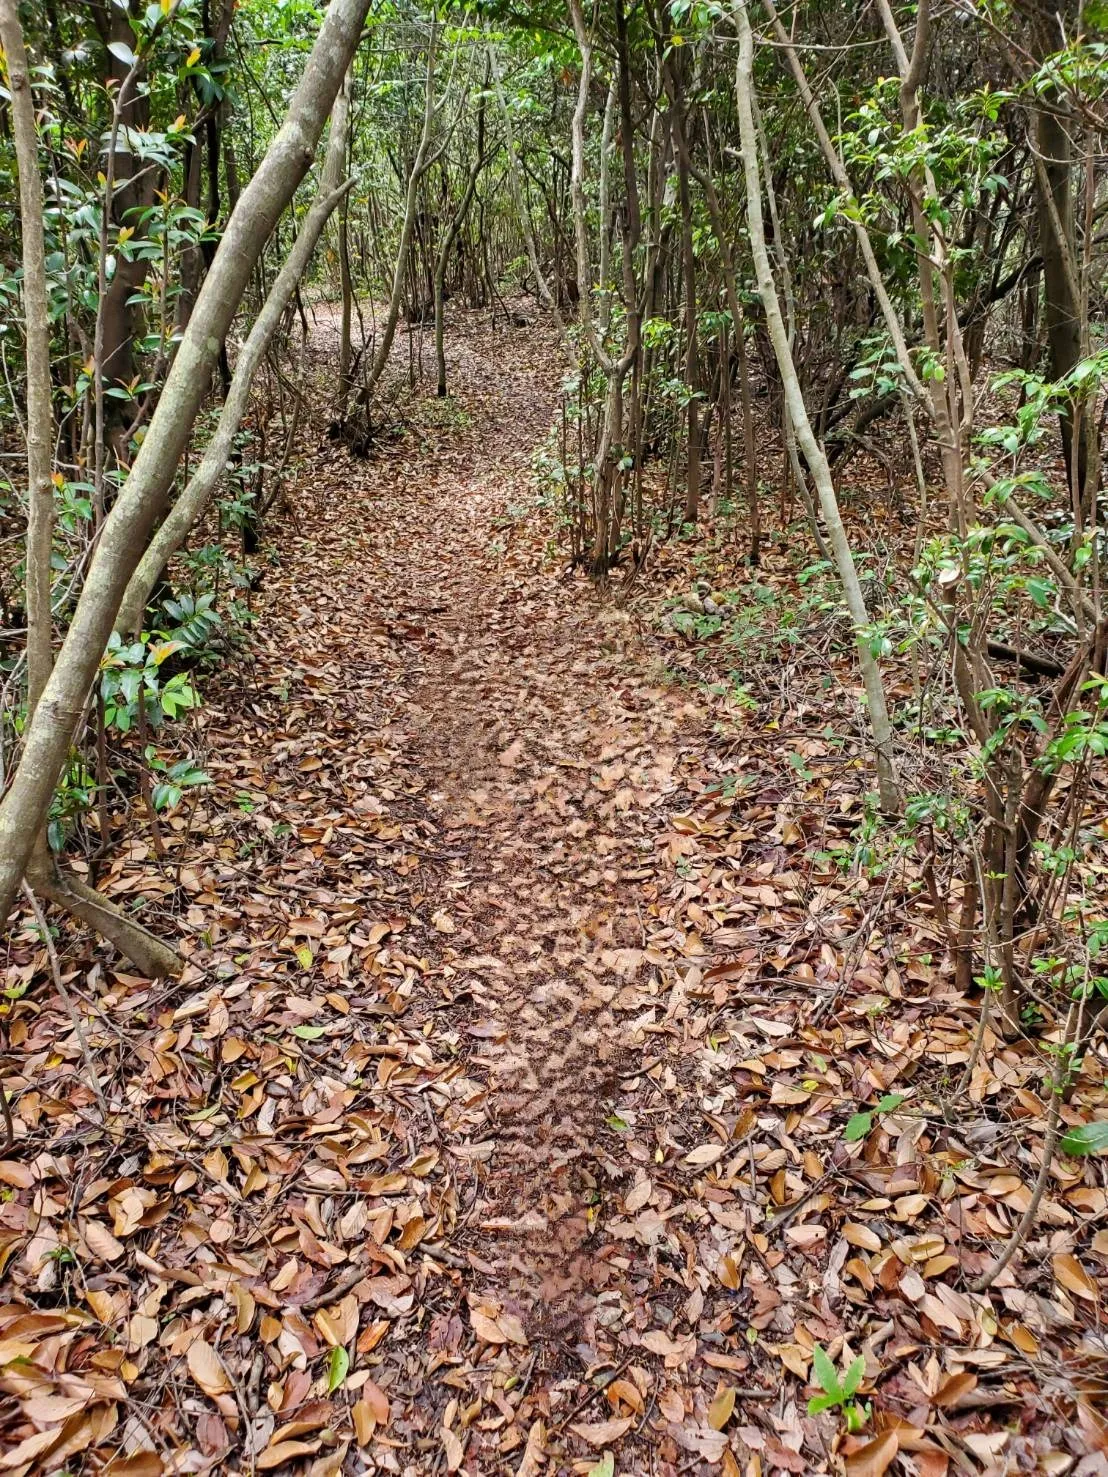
(550, 763)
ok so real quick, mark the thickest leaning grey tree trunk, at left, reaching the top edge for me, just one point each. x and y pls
(126, 530)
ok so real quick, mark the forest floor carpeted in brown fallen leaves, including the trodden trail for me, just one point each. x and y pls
(507, 1120)
